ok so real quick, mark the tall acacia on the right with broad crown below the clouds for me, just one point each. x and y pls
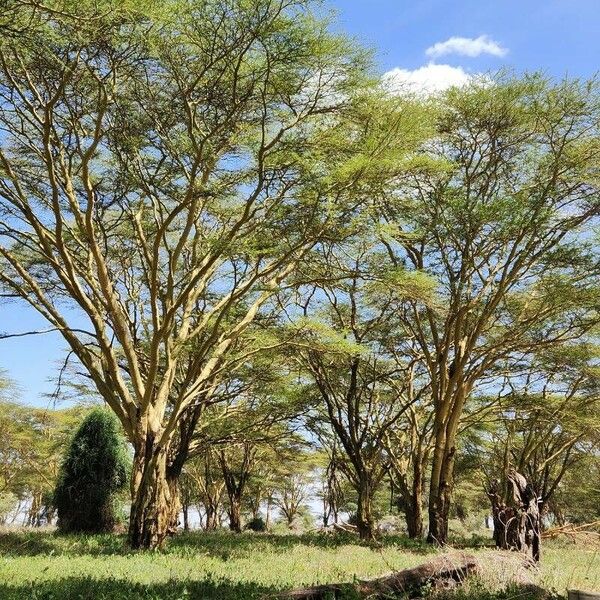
(500, 222)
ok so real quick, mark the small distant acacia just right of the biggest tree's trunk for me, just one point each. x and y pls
(247, 421)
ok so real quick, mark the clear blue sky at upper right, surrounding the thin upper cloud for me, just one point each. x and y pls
(556, 36)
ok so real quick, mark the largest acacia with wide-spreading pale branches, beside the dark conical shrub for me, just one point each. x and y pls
(163, 167)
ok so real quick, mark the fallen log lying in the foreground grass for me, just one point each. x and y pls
(441, 571)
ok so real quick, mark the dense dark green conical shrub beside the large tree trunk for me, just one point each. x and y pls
(95, 468)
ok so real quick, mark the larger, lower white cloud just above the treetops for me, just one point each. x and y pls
(429, 79)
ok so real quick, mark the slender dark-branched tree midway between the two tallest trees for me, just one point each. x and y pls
(361, 391)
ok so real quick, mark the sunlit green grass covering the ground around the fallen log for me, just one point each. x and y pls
(41, 565)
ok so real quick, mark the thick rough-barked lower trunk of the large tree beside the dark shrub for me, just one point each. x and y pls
(151, 507)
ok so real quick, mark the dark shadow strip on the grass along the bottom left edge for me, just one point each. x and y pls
(84, 588)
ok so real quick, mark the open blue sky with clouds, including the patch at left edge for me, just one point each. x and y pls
(558, 37)
